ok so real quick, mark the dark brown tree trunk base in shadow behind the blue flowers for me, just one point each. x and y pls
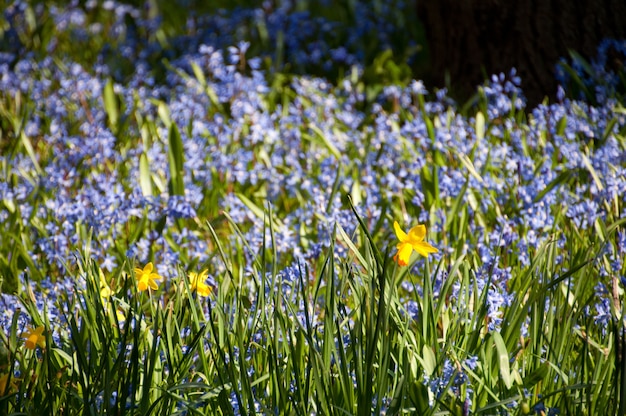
(469, 40)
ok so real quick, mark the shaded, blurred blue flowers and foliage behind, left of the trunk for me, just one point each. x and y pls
(392, 51)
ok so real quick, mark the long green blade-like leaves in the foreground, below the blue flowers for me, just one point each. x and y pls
(339, 342)
